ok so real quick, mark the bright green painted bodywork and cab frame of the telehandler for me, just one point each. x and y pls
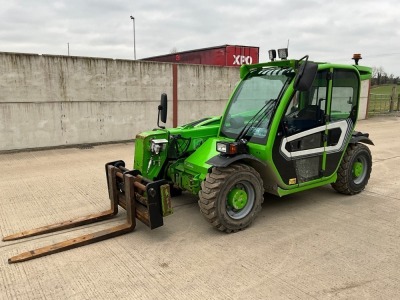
(187, 167)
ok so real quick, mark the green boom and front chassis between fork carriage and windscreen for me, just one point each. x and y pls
(186, 172)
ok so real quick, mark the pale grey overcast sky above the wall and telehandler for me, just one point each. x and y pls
(326, 30)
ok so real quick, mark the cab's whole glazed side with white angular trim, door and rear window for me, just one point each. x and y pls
(317, 125)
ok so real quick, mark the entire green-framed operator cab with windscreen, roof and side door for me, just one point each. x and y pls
(302, 112)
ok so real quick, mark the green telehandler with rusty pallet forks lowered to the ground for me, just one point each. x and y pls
(288, 127)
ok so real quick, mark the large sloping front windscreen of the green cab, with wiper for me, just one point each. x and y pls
(253, 103)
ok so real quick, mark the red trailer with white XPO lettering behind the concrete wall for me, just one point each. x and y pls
(225, 55)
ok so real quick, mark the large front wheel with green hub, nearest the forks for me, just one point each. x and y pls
(231, 197)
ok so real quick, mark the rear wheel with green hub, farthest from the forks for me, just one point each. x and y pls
(354, 171)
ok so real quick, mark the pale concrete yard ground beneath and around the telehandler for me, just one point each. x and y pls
(314, 245)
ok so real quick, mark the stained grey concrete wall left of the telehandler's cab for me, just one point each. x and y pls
(50, 100)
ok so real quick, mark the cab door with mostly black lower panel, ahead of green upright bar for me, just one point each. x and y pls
(299, 153)
